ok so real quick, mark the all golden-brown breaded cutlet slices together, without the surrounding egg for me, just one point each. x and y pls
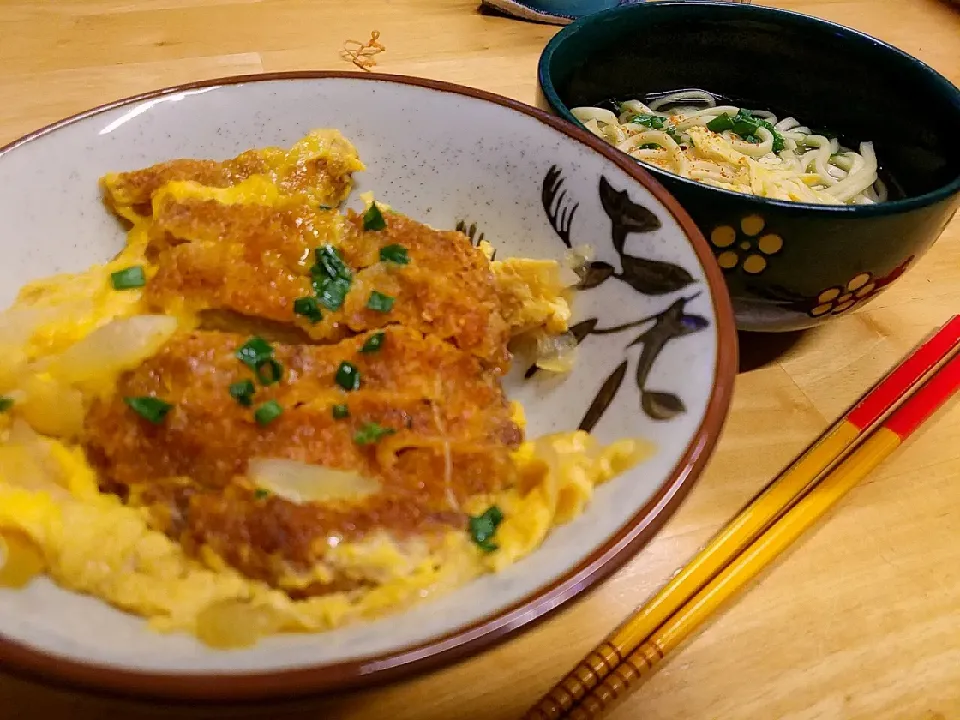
(235, 243)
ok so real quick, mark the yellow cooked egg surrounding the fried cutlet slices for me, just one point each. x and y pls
(68, 338)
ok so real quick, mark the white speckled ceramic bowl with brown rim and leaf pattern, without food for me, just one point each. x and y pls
(442, 154)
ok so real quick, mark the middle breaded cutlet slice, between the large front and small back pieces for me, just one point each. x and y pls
(254, 259)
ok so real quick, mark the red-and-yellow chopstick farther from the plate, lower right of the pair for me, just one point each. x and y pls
(879, 445)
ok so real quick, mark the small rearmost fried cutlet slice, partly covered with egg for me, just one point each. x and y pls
(319, 168)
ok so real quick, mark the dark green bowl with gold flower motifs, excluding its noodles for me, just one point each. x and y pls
(787, 265)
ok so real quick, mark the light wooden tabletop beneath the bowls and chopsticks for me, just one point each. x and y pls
(862, 620)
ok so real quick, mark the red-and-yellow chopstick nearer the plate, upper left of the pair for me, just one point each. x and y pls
(770, 504)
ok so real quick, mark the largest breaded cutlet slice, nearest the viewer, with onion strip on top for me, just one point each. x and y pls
(450, 436)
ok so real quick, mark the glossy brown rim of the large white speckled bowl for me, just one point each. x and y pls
(24, 660)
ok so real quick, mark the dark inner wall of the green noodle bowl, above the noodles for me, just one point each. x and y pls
(824, 75)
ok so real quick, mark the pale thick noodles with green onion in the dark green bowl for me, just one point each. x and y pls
(749, 151)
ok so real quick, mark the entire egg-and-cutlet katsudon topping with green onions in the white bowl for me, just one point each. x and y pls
(269, 415)
